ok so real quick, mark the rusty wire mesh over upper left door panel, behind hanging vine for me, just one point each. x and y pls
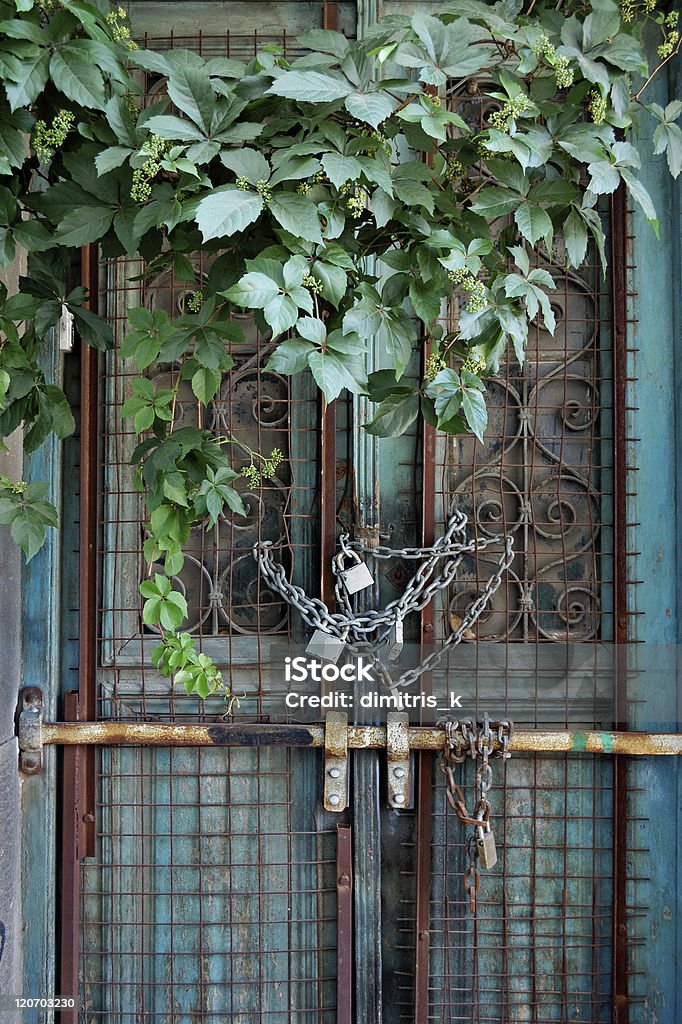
(231, 611)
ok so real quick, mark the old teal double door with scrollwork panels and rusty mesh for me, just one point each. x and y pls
(208, 882)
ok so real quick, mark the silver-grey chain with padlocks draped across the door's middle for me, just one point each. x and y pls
(356, 629)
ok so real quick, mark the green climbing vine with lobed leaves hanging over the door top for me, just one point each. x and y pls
(338, 198)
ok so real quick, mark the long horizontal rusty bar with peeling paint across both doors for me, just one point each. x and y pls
(360, 737)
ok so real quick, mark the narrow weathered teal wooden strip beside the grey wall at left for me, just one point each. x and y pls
(41, 639)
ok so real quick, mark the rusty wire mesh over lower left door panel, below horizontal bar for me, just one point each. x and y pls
(212, 895)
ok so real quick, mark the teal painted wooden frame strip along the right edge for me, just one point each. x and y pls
(656, 507)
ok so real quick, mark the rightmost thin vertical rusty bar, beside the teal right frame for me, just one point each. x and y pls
(620, 342)
